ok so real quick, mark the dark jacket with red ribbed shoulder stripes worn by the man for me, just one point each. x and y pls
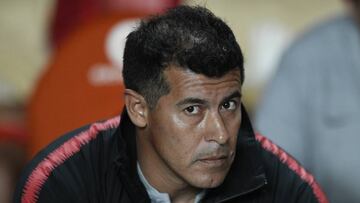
(97, 163)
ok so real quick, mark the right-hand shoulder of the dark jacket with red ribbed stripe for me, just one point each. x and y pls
(288, 181)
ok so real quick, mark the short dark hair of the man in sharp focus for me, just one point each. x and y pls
(187, 37)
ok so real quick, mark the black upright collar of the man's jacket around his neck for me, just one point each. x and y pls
(245, 175)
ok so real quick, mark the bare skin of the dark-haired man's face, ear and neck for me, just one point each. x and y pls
(188, 142)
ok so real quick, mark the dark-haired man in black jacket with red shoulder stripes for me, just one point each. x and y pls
(183, 137)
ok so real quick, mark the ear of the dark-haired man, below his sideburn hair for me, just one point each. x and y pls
(136, 107)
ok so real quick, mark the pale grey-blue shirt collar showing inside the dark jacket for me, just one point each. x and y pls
(158, 197)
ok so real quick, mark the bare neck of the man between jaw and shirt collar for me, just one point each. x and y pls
(160, 176)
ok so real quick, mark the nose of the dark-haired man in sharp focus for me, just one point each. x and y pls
(216, 129)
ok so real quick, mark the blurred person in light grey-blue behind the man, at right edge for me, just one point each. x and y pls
(311, 107)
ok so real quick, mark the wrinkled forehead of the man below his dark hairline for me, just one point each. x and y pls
(186, 82)
